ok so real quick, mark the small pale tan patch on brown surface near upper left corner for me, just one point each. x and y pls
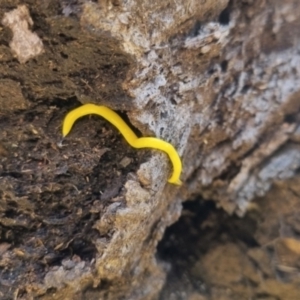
(25, 43)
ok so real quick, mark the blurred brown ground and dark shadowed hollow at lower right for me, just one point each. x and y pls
(214, 256)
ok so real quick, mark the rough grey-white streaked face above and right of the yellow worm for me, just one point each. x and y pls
(224, 93)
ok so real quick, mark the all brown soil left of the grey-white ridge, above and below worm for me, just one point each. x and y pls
(53, 191)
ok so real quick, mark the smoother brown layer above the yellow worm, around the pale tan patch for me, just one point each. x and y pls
(76, 62)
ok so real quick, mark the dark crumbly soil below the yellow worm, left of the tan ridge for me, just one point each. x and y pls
(51, 195)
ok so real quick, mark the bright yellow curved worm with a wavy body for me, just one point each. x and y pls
(129, 135)
